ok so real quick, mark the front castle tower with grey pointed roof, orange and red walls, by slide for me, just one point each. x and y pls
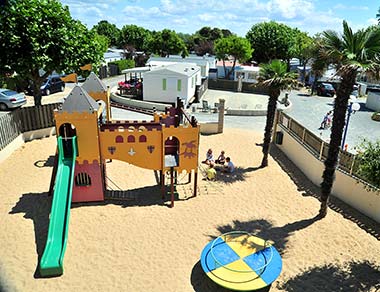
(79, 116)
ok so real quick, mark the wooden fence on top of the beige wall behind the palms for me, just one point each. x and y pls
(347, 162)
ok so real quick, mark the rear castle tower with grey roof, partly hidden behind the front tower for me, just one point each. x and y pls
(100, 93)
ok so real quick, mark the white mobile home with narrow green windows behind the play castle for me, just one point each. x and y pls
(165, 84)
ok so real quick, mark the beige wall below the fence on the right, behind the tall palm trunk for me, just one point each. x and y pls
(345, 187)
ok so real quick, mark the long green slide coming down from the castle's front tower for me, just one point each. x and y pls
(51, 263)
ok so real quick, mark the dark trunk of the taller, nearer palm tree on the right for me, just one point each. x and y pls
(340, 109)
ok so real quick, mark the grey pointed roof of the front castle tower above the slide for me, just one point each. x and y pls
(79, 101)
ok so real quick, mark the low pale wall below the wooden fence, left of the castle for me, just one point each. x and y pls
(22, 138)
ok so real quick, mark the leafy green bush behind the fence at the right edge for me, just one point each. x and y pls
(369, 167)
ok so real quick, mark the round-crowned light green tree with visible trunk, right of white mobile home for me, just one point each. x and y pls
(237, 47)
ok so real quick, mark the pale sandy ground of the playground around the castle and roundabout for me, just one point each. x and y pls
(142, 245)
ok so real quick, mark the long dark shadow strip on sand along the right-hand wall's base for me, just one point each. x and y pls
(307, 188)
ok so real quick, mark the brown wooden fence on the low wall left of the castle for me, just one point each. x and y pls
(25, 119)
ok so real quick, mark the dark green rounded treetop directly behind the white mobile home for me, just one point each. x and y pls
(167, 42)
